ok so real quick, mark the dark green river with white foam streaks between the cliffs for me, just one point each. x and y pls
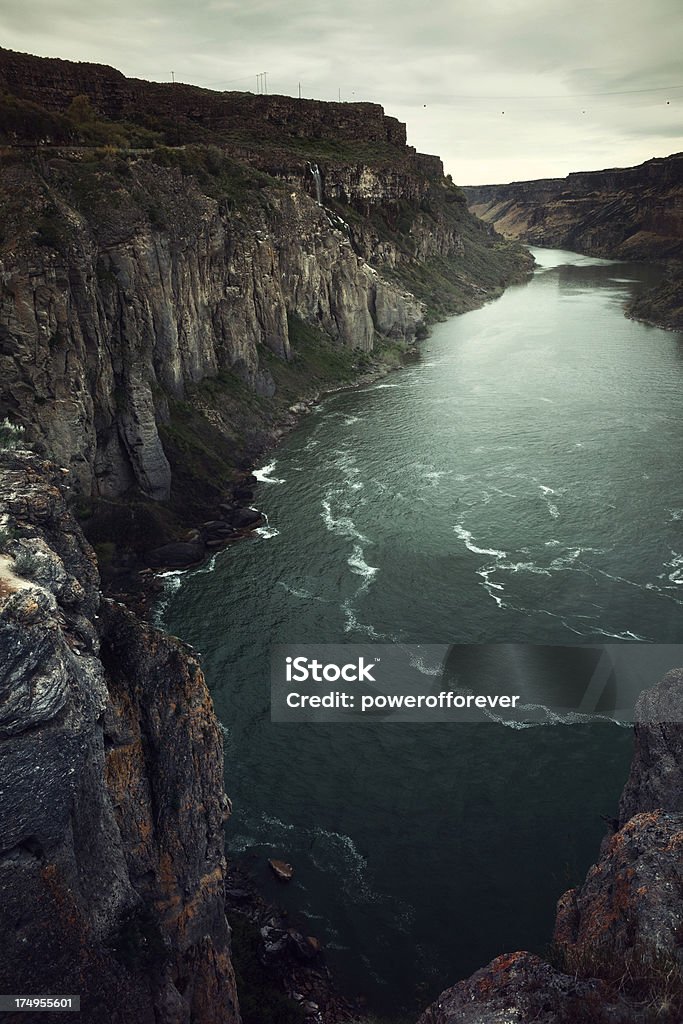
(521, 482)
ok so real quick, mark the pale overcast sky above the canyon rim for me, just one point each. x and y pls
(501, 90)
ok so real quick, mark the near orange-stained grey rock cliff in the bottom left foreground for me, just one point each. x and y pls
(112, 802)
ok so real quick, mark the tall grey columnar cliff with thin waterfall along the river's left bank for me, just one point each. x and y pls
(176, 273)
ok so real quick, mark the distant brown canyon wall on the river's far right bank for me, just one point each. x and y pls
(632, 214)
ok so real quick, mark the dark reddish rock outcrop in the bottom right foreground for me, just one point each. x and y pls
(618, 955)
